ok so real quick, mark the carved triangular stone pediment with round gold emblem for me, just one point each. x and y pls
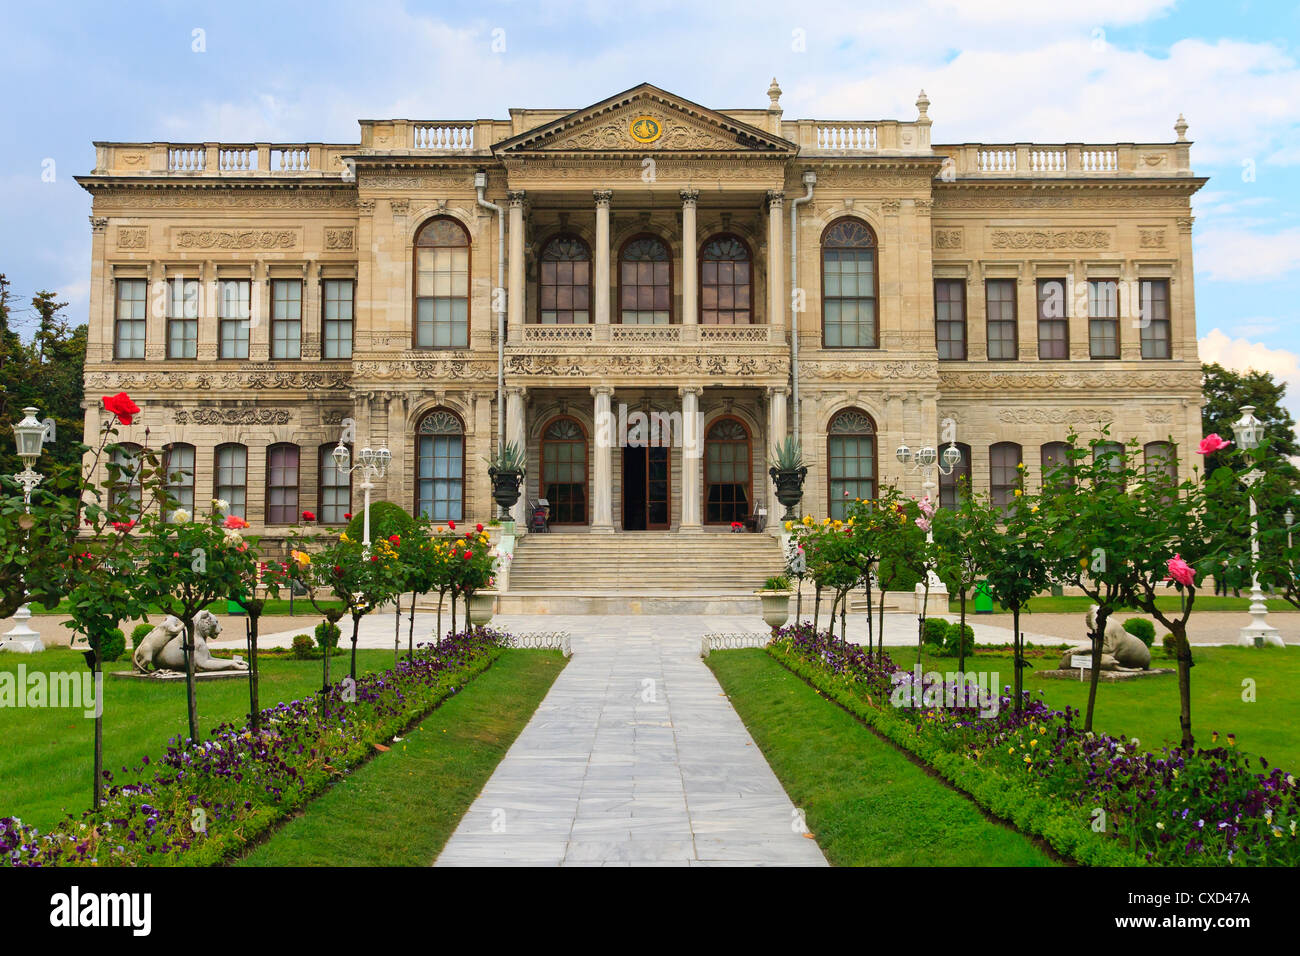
(645, 119)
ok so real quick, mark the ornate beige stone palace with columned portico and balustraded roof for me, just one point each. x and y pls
(453, 284)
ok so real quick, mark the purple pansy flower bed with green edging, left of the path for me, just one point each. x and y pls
(209, 801)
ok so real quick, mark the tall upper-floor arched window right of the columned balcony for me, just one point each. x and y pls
(850, 285)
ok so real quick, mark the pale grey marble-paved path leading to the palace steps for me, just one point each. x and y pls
(635, 758)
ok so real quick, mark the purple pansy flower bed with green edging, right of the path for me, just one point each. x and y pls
(1041, 772)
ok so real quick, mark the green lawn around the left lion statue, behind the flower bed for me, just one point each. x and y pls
(46, 759)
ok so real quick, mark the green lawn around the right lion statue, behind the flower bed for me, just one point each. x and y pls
(1147, 708)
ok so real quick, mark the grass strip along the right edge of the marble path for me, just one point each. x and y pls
(866, 803)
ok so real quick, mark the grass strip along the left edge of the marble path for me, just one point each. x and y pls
(402, 807)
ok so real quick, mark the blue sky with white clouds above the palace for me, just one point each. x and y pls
(996, 72)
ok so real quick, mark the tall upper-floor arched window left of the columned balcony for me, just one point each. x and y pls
(443, 285)
